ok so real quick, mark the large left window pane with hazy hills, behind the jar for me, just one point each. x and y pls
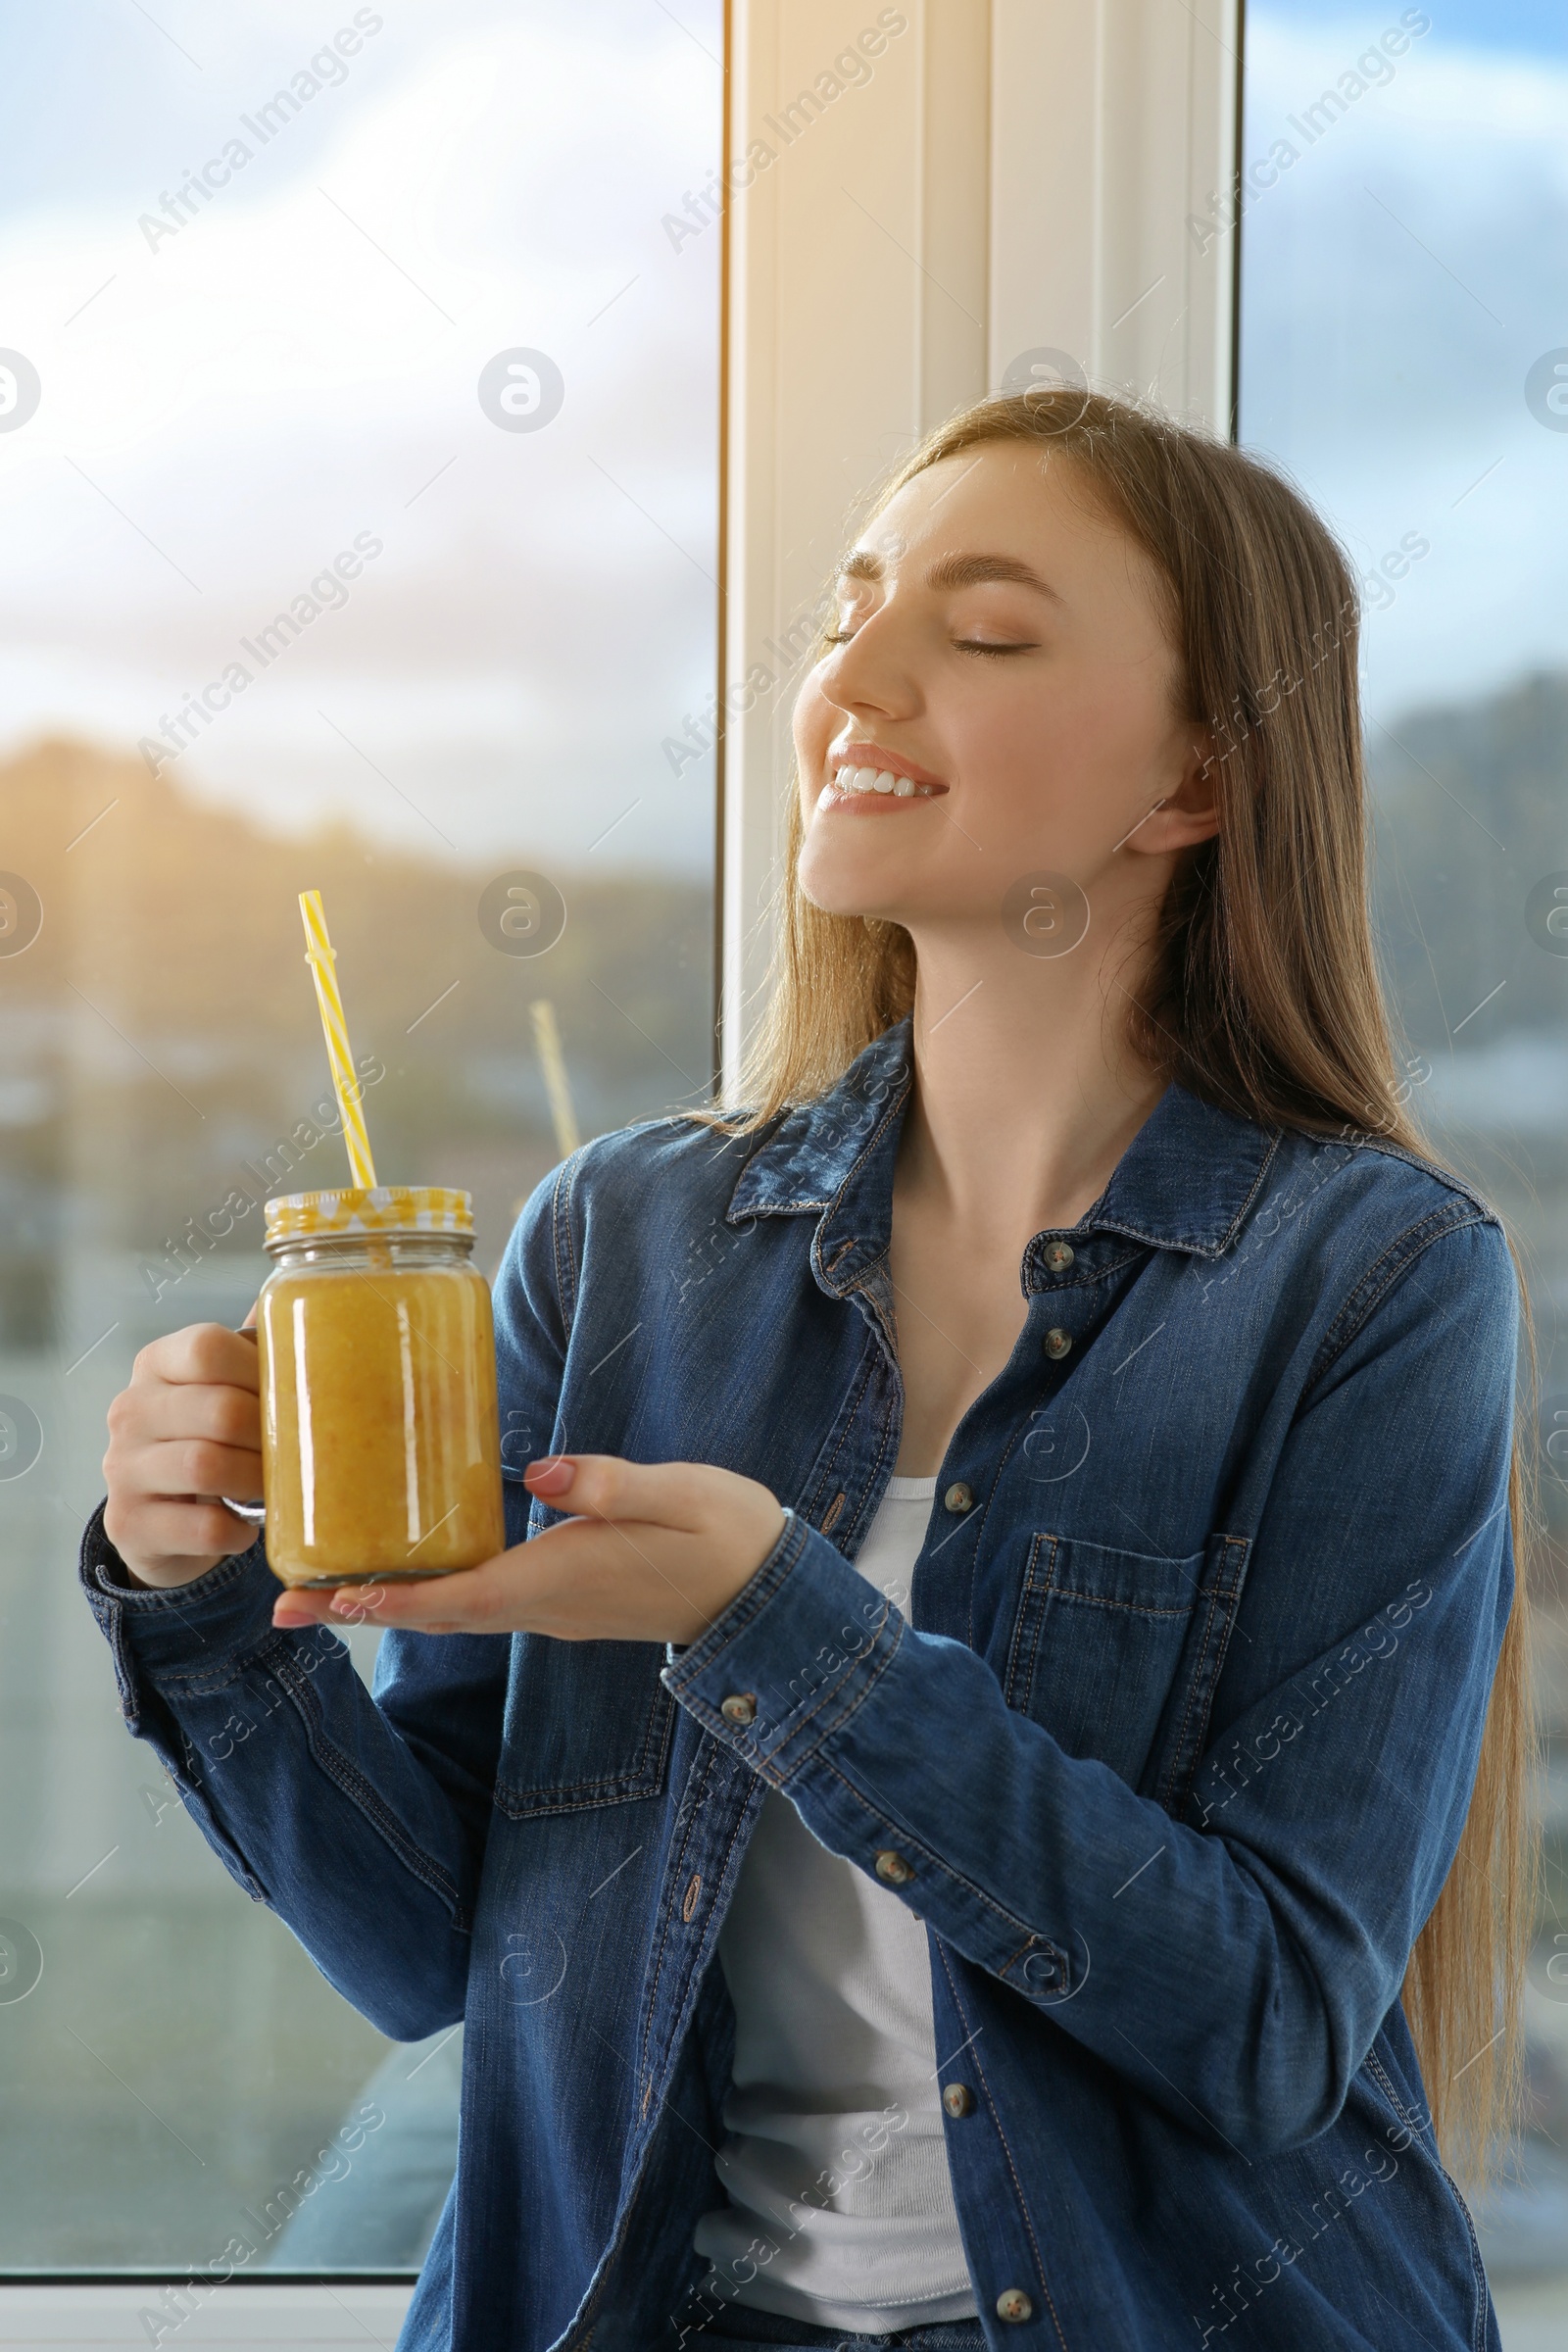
(359, 476)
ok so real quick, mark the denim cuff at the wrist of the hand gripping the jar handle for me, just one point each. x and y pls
(177, 1636)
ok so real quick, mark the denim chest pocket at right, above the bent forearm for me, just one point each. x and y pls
(1118, 1655)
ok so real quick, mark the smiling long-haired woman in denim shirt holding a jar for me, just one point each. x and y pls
(986, 1808)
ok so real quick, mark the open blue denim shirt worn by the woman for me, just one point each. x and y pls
(1170, 1751)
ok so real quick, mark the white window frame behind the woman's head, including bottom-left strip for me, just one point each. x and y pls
(1012, 175)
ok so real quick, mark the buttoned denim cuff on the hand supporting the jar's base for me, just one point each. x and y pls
(791, 1659)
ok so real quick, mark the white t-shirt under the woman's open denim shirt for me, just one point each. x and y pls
(833, 2118)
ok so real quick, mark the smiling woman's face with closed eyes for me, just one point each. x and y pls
(1003, 657)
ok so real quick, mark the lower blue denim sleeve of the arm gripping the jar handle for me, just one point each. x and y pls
(337, 1812)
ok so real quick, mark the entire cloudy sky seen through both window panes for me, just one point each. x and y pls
(225, 410)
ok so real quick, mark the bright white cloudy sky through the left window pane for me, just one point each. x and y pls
(295, 370)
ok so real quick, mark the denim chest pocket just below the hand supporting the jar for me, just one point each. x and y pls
(587, 1723)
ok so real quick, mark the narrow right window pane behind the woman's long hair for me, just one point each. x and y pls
(1405, 352)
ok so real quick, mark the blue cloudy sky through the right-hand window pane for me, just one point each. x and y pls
(1398, 286)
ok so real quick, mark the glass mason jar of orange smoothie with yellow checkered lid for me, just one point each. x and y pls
(380, 1431)
